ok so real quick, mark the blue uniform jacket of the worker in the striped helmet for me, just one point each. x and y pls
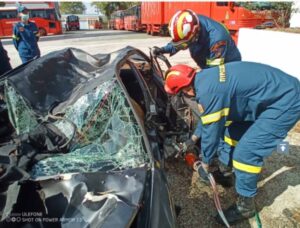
(214, 45)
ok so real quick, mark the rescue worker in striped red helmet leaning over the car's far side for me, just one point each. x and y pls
(208, 41)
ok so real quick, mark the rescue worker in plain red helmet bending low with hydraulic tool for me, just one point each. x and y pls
(270, 101)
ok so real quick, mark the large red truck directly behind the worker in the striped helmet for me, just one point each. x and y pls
(156, 15)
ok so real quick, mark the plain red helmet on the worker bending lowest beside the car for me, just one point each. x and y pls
(178, 77)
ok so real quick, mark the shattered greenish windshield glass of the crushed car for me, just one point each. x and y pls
(106, 136)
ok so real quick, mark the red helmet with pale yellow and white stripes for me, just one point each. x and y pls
(183, 27)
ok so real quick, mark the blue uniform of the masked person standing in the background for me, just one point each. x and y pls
(25, 39)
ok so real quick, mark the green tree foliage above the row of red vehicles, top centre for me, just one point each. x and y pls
(107, 8)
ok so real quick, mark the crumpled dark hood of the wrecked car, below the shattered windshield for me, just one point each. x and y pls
(100, 199)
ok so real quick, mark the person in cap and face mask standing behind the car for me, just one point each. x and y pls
(26, 36)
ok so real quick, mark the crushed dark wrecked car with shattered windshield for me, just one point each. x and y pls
(83, 141)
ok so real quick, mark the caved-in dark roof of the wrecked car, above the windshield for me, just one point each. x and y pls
(62, 76)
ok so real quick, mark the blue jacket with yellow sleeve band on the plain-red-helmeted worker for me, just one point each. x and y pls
(241, 91)
